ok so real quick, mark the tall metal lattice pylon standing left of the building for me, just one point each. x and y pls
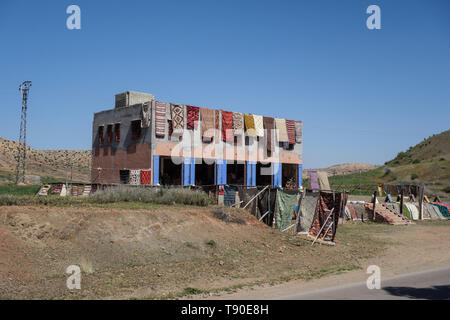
(22, 149)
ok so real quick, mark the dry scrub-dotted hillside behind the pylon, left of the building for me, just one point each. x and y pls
(49, 164)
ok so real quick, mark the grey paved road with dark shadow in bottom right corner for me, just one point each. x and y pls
(430, 284)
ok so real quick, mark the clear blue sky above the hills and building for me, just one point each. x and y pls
(363, 95)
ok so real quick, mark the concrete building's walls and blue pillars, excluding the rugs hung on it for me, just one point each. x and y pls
(124, 139)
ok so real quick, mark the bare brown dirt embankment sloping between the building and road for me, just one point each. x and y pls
(164, 253)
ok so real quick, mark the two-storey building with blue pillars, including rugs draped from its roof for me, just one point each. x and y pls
(145, 141)
